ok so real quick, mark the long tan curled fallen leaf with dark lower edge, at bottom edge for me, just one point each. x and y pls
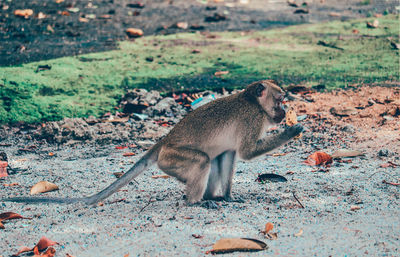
(226, 245)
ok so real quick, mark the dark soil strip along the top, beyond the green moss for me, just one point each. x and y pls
(70, 27)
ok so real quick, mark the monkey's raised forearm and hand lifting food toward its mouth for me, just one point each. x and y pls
(248, 151)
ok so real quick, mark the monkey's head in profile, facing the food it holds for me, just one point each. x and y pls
(270, 97)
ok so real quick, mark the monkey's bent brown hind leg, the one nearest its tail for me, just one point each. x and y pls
(188, 165)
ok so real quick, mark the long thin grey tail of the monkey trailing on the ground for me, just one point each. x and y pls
(144, 163)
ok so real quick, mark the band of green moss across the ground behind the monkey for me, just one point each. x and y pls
(93, 84)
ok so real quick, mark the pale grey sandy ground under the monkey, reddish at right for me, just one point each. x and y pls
(349, 207)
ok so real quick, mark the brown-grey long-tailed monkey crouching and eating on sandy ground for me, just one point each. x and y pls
(201, 150)
